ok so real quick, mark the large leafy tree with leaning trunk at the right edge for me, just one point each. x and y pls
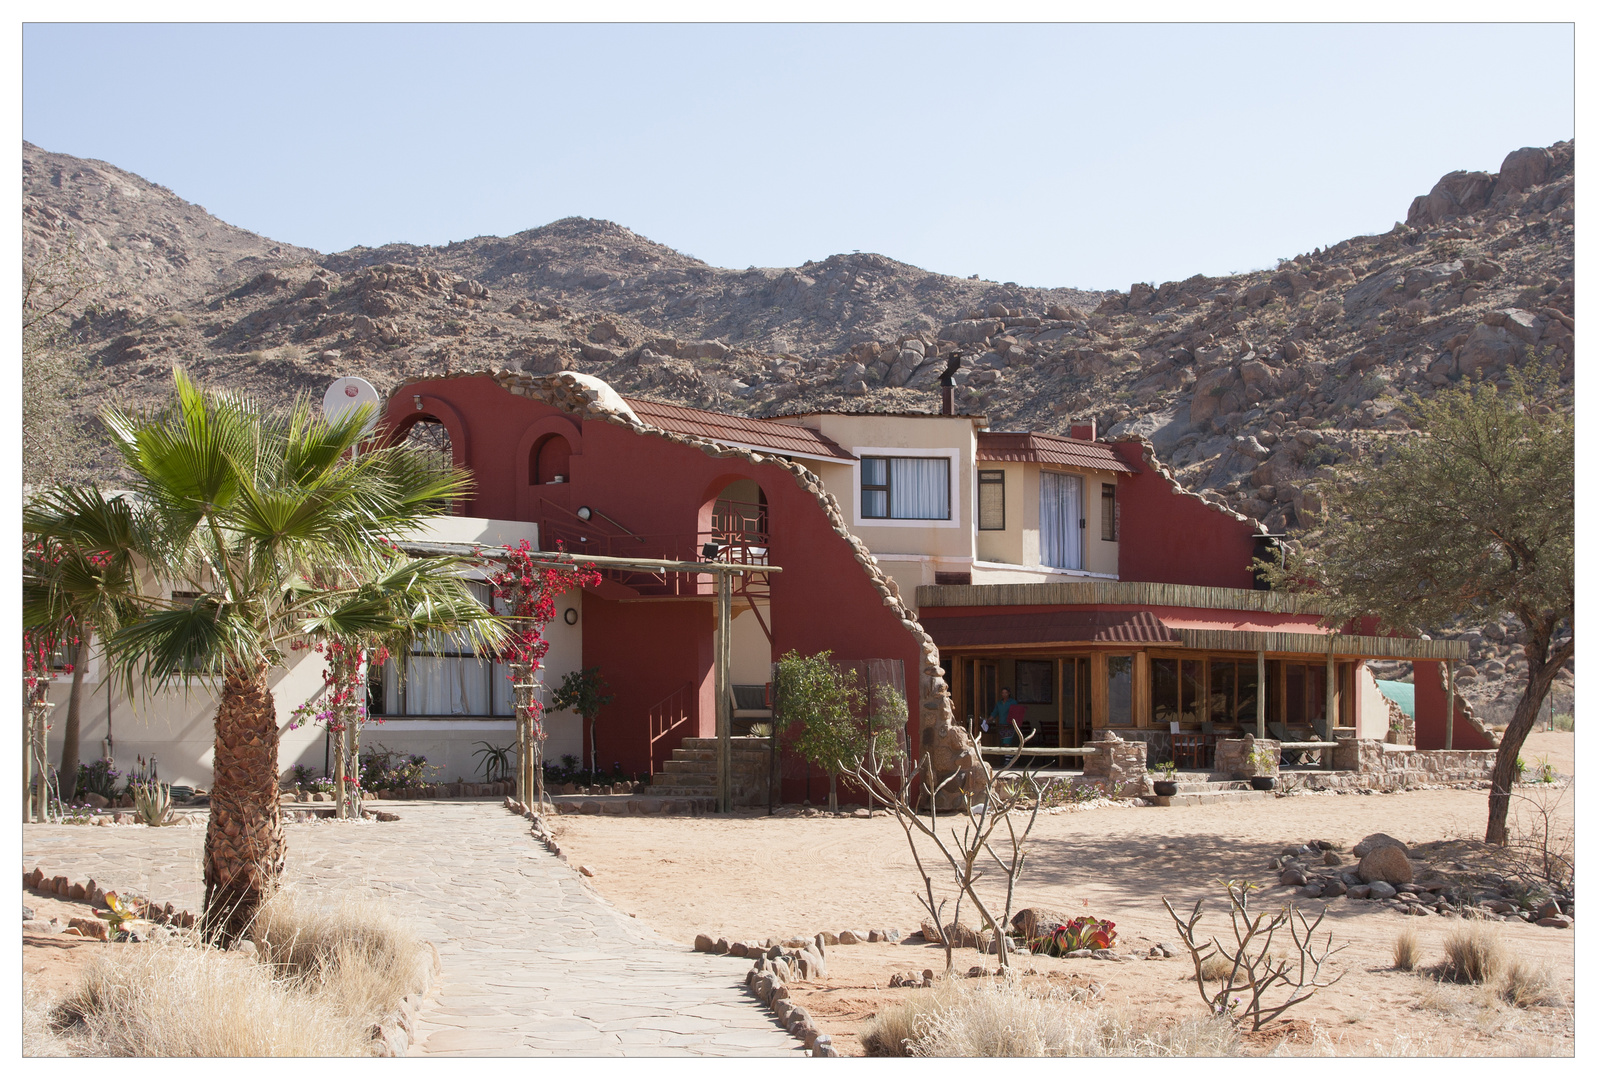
(1475, 517)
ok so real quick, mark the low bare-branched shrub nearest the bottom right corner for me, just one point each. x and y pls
(1251, 969)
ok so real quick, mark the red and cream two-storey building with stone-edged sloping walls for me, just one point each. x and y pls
(1071, 573)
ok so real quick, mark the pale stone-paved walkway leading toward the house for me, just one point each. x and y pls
(534, 961)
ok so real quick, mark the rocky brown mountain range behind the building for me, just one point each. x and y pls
(1251, 387)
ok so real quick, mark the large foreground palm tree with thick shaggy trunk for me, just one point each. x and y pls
(274, 528)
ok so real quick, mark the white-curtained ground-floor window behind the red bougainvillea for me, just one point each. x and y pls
(446, 678)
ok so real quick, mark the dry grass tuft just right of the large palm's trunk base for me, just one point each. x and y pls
(354, 950)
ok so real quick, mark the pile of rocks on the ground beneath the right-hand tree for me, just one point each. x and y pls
(1385, 875)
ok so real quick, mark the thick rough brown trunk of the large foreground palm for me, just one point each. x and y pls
(245, 843)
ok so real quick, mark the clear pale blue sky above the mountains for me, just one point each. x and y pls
(1050, 156)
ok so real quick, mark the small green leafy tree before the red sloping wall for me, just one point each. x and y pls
(818, 705)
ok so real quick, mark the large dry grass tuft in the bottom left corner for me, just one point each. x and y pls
(188, 1001)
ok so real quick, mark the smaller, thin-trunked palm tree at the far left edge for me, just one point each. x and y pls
(76, 584)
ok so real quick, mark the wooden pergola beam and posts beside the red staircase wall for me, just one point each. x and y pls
(529, 785)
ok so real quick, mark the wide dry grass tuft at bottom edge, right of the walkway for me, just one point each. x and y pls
(1001, 1018)
